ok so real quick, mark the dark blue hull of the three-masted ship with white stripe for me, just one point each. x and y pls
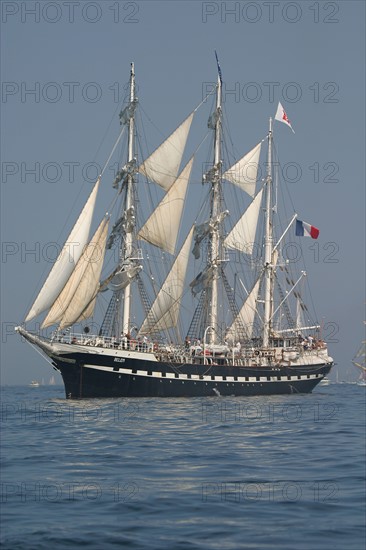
(87, 376)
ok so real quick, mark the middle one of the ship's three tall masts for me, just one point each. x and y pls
(214, 247)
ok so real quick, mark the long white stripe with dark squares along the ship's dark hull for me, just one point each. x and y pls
(205, 378)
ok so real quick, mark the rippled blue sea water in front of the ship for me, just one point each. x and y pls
(284, 472)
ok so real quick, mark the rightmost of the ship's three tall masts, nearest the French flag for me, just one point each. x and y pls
(268, 245)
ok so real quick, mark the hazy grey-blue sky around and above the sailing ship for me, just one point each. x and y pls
(63, 69)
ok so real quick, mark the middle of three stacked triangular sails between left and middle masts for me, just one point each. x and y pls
(161, 229)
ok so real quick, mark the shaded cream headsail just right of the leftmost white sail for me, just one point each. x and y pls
(83, 284)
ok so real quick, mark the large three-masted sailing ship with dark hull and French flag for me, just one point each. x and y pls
(249, 333)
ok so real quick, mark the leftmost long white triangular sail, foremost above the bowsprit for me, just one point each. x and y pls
(67, 259)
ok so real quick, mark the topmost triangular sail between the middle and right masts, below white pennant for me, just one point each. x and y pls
(244, 172)
